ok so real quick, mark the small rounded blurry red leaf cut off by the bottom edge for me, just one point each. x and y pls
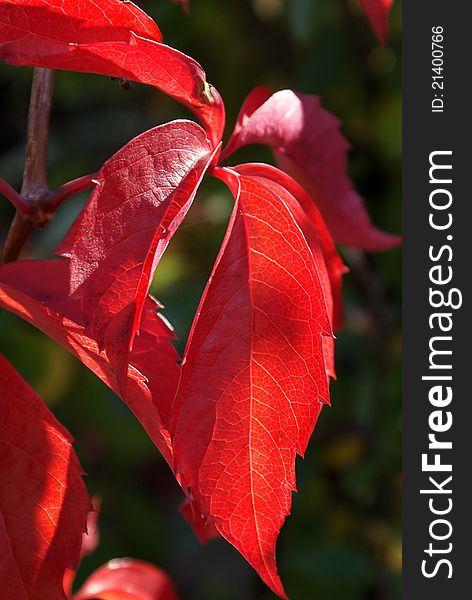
(127, 579)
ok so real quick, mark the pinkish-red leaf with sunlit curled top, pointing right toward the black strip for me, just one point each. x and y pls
(310, 147)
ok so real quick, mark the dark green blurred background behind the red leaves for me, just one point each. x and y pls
(342, 540)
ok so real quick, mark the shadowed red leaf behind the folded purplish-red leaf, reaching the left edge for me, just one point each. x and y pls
(43, 302)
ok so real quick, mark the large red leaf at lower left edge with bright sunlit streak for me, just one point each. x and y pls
(43, 500)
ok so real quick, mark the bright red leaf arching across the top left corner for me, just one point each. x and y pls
(116, 39)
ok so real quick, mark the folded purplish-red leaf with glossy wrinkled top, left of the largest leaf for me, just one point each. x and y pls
(142, 195)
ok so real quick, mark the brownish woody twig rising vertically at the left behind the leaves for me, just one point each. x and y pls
(34, 188)
